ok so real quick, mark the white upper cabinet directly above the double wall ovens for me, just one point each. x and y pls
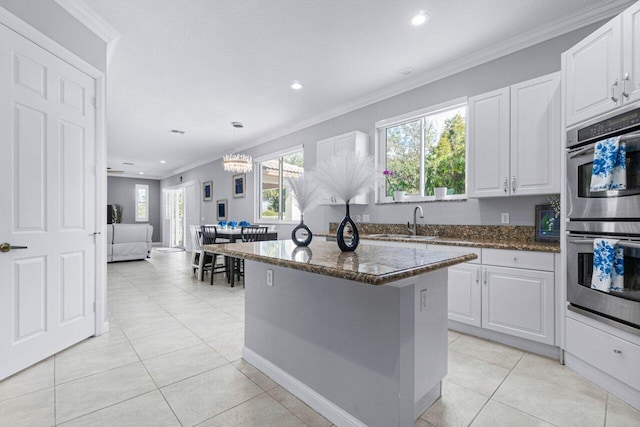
(602, 72)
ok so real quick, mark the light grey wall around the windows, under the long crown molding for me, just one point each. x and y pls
(532, 62)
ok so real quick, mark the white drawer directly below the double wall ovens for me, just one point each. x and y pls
(615, 356)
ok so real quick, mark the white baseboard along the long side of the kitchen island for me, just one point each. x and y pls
(319, 403)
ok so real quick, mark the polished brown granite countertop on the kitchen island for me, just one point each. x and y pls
(375, 265)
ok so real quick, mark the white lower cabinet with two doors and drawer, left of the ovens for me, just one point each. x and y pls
(505, 297)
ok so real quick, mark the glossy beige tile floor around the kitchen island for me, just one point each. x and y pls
(173, 357)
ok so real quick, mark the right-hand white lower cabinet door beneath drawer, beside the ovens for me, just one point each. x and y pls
(519, 302)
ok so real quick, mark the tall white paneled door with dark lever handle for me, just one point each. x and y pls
(47, 204)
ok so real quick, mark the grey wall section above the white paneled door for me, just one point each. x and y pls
(56, 23)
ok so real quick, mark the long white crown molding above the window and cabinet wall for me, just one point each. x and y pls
(564, 25)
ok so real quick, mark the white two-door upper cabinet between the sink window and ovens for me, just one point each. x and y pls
(514, 139)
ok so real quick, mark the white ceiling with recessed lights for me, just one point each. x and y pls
(198, 65)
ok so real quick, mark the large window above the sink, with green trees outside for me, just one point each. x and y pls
(425, 150)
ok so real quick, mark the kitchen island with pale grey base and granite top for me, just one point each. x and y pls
(361, 336)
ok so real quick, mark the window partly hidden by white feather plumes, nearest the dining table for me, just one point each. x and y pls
(274, 202)
